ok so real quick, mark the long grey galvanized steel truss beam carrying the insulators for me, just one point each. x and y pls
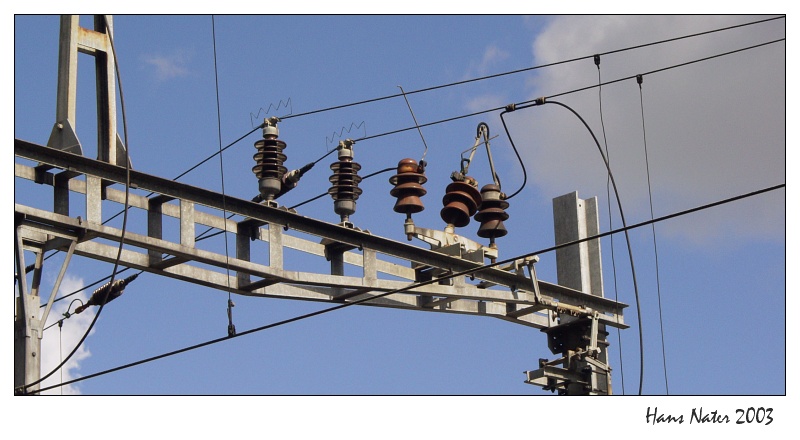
(281, 229)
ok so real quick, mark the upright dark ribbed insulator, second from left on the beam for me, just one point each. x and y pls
(345, 180)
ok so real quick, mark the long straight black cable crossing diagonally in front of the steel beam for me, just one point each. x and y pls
(435, 280)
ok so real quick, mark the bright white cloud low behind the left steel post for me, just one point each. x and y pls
(57, 342)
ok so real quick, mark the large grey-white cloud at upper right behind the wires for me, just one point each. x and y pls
(714, 129)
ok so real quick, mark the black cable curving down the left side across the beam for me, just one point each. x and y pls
(23, 388)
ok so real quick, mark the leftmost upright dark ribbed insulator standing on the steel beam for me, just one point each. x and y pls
(269, 162)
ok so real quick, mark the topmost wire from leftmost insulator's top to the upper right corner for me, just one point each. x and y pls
(527, 69)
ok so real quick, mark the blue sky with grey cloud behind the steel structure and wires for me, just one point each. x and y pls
(715, 129)
